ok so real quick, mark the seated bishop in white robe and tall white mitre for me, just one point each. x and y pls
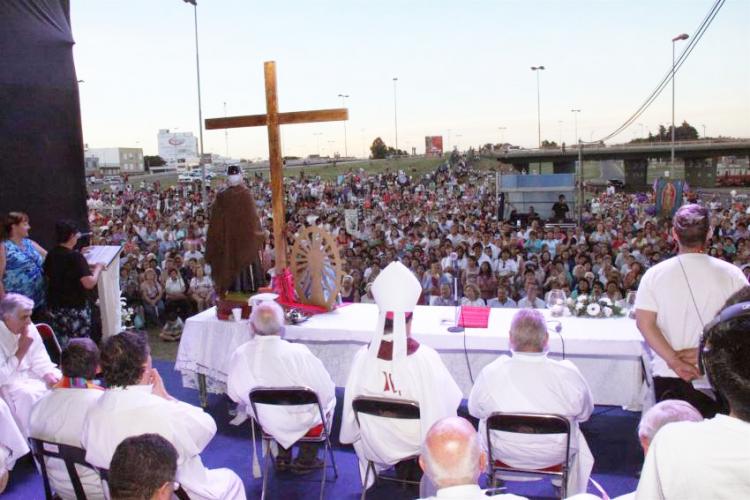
(396, 366)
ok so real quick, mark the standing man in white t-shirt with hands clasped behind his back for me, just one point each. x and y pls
(675, 300)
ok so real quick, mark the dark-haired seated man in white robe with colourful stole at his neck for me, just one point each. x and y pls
(59, 415)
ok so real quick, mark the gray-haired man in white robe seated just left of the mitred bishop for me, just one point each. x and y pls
(270, 361)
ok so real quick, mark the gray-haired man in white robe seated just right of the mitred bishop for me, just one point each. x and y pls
(530, 382)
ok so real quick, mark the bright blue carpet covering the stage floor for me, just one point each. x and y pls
(611, 434)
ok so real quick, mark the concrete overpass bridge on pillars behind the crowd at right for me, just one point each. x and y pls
(700, 158)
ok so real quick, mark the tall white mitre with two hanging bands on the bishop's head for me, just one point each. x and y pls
(396, 290)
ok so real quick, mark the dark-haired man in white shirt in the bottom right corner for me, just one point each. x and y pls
(709, 459)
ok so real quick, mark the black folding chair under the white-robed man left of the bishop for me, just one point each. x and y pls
(294, 396)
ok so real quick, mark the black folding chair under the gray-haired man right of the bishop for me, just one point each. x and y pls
(529, 423)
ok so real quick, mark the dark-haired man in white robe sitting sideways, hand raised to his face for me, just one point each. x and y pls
(136, 403)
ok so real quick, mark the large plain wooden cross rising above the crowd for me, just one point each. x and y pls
(273, 119)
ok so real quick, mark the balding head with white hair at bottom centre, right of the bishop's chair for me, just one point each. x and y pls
(451, 455)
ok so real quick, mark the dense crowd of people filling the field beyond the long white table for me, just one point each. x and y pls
(442, 225)
